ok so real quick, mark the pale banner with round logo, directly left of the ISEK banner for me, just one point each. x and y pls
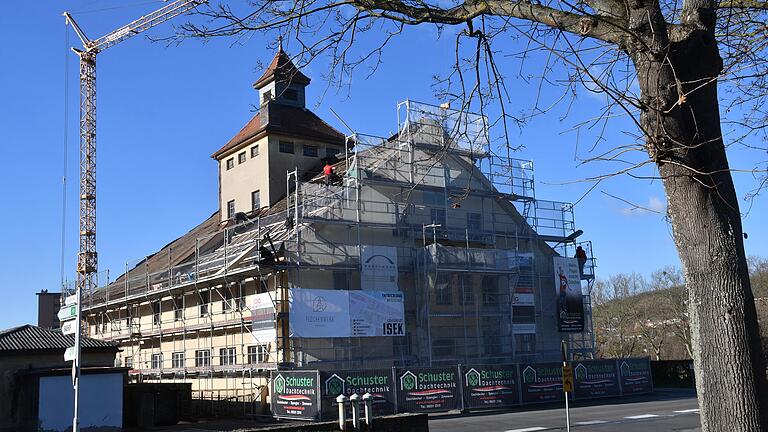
(315, 313)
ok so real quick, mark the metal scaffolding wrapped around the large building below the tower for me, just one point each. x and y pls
(471, 240)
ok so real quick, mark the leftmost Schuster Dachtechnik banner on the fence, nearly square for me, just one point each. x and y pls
(295, 395)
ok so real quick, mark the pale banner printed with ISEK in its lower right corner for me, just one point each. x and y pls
(377, 313)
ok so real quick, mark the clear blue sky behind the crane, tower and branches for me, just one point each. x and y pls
(163, 110)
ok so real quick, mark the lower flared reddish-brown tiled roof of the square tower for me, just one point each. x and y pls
(286, 120)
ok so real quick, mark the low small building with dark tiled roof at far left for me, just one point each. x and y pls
(31, 380)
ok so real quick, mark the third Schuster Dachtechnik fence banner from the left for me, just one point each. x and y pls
(427, 389)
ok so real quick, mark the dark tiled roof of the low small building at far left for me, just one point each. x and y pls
(33, 338)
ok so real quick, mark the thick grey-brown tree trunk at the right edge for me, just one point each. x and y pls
(685, 141)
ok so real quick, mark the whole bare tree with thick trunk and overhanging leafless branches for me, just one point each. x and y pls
(677, 54)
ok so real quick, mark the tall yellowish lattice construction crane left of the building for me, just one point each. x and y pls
(87, 262)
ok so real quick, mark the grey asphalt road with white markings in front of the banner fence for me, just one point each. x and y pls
(661, 412)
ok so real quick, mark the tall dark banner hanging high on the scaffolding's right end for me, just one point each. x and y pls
(570, 304)
